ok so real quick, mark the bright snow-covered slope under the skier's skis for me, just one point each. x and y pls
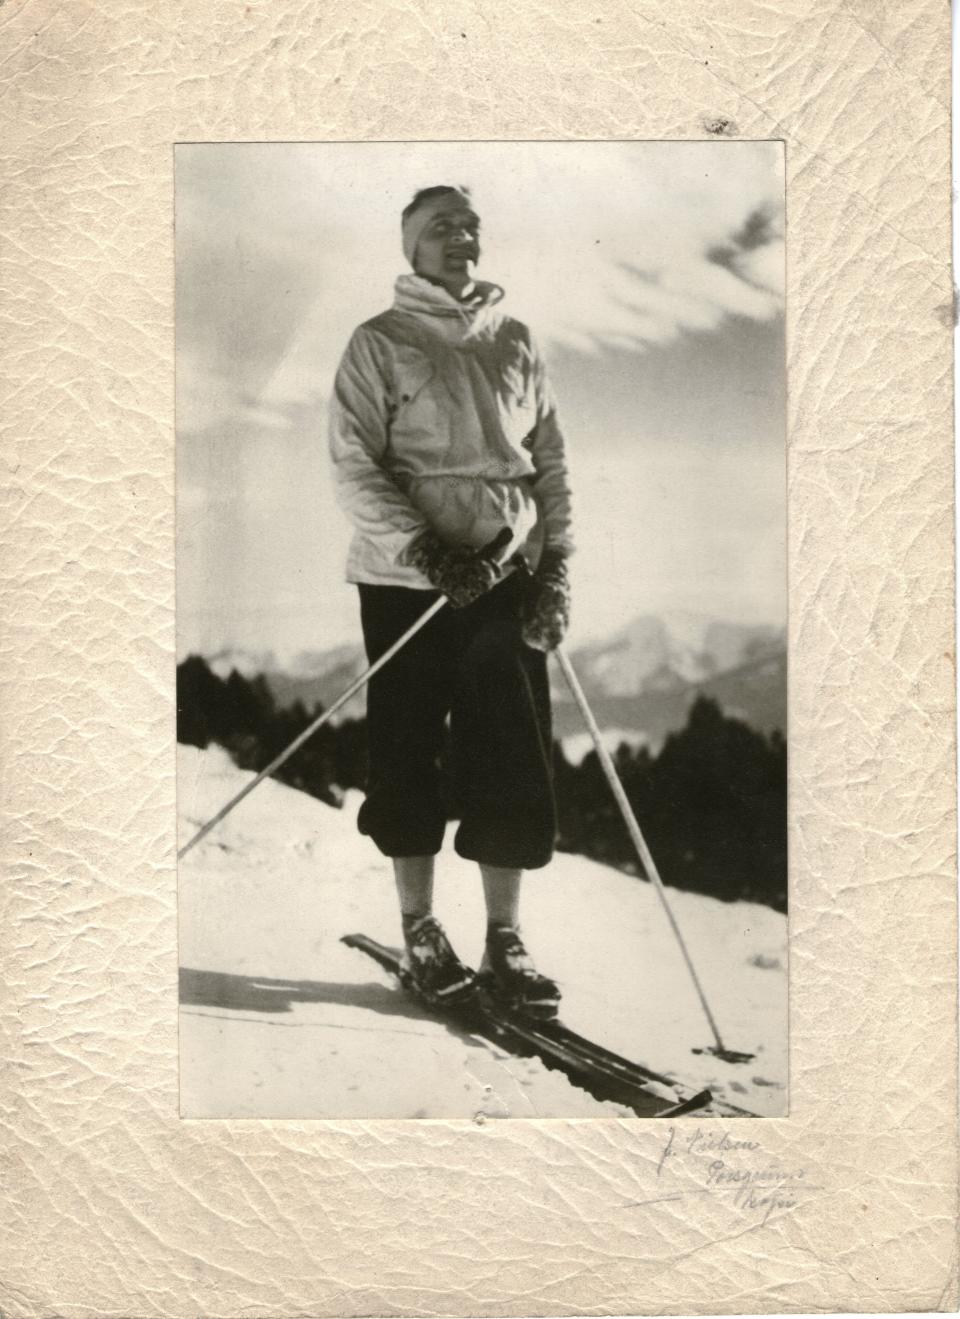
(280, 1020)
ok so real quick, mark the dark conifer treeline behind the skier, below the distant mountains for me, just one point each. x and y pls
(713, 803)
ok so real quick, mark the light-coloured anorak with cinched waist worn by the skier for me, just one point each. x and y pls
(442, 417)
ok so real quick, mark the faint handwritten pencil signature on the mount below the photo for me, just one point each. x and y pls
(735, 1169)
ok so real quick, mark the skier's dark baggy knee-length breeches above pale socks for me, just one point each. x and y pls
(473, 665)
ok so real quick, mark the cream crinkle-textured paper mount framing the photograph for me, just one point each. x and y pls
(114, 1206)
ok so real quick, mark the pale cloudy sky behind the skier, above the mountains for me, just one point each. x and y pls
(653, 278)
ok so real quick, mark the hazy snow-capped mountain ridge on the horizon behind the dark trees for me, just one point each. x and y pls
(642, 680)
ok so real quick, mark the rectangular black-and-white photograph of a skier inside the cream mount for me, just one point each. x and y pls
(482, 684)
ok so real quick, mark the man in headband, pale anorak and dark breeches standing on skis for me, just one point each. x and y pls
(450, 464)
